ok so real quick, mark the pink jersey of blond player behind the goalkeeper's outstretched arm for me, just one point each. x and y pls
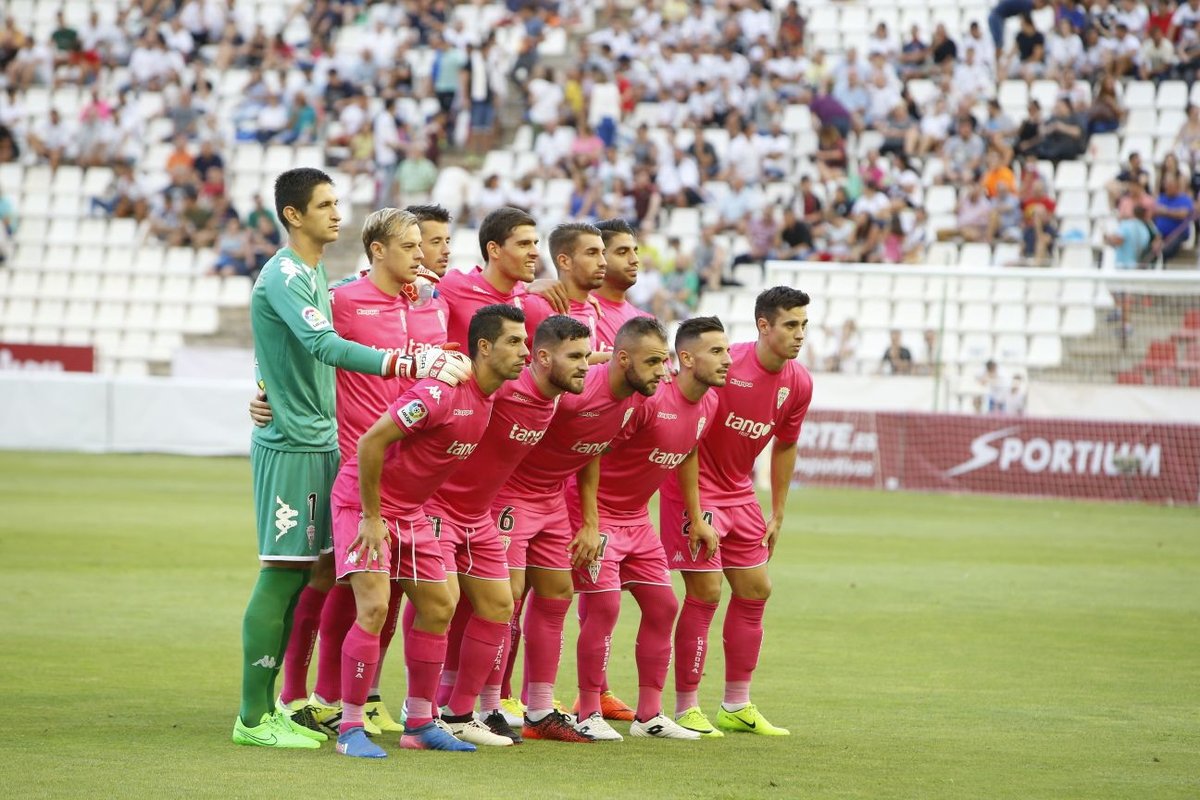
(365, 315)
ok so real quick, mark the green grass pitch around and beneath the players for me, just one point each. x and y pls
(917, 646)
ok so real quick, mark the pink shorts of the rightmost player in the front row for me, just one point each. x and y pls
(742, 531)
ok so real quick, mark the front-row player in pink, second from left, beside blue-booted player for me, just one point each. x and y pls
(473, 546)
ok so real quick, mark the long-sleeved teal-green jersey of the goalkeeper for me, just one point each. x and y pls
(296, 353)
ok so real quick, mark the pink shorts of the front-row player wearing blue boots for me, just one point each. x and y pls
(412, 555)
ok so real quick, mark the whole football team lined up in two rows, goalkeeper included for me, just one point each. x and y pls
(493, 484)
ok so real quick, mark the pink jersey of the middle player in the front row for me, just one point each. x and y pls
(580, 431)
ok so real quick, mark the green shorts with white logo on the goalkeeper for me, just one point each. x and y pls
(292, 503)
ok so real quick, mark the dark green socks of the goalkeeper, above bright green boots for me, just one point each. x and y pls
(265, 637)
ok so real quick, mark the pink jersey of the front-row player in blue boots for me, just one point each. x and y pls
(445, 425)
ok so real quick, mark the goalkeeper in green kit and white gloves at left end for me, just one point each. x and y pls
(295, 458)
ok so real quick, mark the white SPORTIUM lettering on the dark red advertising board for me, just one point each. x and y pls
(1061, 456)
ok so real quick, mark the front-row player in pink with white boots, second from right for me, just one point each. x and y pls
(664, 431)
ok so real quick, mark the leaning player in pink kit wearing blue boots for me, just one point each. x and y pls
(382, 534)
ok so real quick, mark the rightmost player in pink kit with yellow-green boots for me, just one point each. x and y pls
(767, 394)
